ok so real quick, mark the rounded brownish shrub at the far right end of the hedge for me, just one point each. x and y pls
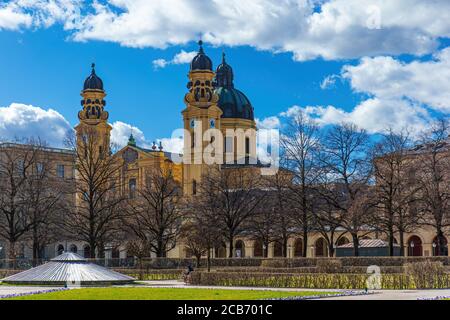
(426, 274)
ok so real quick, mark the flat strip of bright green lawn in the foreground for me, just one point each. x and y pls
(163, 294)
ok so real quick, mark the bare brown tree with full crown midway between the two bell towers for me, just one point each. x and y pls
(155, 215)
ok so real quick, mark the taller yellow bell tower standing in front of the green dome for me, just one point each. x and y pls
(200, 115)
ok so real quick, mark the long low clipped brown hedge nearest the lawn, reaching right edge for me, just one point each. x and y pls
(311, 281)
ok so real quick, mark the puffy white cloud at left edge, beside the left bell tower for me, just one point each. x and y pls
(19, 121)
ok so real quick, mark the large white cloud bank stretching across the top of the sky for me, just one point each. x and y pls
(309, 29)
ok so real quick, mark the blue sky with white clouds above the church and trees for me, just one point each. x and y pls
(318, 57)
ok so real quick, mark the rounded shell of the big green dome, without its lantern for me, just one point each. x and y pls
(234, 103)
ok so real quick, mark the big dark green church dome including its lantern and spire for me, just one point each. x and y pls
(233, 102)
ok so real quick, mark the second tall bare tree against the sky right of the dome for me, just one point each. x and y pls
(346, 163)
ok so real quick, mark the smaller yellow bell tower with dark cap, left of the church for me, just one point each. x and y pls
(93, 118)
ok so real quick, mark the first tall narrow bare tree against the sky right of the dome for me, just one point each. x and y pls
(300, 143)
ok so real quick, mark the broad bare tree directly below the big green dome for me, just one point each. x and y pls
(234, 194)
